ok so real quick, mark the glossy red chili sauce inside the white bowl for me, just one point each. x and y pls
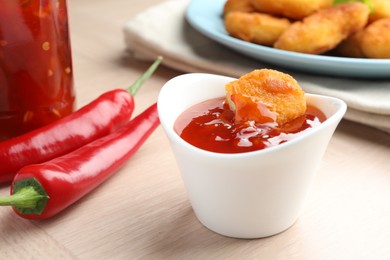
(210, 125)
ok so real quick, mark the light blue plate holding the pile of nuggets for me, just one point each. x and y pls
(206, 17)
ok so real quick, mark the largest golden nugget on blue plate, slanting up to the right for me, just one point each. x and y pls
(324, 29)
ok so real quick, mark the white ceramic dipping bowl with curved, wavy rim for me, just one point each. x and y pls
(245, 195)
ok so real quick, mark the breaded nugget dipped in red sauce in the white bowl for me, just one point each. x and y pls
(266, 96)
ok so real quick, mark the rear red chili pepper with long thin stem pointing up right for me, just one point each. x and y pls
(98, 118)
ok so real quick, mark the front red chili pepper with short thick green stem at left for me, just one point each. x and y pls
(40, 191)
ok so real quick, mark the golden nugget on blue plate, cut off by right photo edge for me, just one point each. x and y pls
(375, 42)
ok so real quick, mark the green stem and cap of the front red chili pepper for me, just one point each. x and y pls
(27, 197)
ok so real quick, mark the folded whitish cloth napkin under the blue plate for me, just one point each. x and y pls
(163, 30)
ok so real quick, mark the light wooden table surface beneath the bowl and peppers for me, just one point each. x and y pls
(143, 211)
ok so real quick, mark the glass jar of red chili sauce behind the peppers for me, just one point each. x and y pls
(36, 80)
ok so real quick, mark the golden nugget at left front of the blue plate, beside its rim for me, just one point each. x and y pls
(258, 28)
